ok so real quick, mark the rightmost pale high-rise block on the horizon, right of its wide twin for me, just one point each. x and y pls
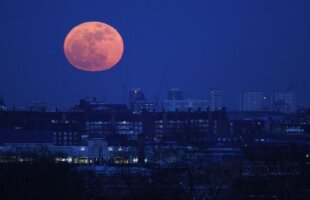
(283, 101)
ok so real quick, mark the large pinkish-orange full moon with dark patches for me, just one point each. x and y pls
(93, 46)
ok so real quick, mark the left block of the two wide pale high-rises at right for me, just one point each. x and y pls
(254, 101)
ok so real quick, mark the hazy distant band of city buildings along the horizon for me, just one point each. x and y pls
(175, 100)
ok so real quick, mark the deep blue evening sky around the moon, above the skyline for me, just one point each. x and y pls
(233, 45)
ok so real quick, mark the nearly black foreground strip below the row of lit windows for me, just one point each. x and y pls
(46, 180)
